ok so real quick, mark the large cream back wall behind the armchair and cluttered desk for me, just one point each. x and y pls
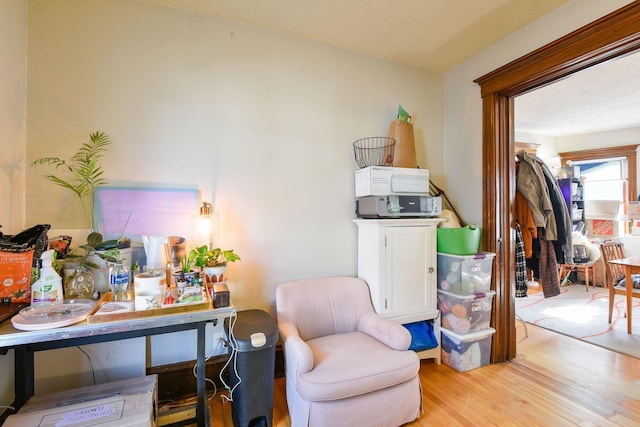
(261, 123)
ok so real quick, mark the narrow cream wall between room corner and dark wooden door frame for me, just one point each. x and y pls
(463, 105)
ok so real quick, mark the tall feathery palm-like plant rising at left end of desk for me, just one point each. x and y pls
(84, 170)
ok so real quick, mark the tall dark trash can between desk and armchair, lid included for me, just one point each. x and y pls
(253, 337)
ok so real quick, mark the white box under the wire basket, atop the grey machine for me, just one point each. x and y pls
(385, 181)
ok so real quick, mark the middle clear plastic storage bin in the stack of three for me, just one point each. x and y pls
(465, 313)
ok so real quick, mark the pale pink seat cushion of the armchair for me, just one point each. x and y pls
(349, 364)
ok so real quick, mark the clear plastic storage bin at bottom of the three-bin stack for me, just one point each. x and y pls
(464, 352)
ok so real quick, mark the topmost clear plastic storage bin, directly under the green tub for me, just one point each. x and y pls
(465, 274)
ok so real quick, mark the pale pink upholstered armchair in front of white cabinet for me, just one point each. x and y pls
(345, 365)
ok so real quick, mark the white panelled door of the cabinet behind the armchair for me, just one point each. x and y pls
(410, 271)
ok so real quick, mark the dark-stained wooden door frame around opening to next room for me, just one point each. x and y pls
(611, 36)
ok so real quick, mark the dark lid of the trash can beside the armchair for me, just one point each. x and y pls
(252, 329)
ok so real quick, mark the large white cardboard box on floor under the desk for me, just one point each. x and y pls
(126, 403)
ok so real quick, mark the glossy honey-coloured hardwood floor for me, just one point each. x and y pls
(554, 381)
